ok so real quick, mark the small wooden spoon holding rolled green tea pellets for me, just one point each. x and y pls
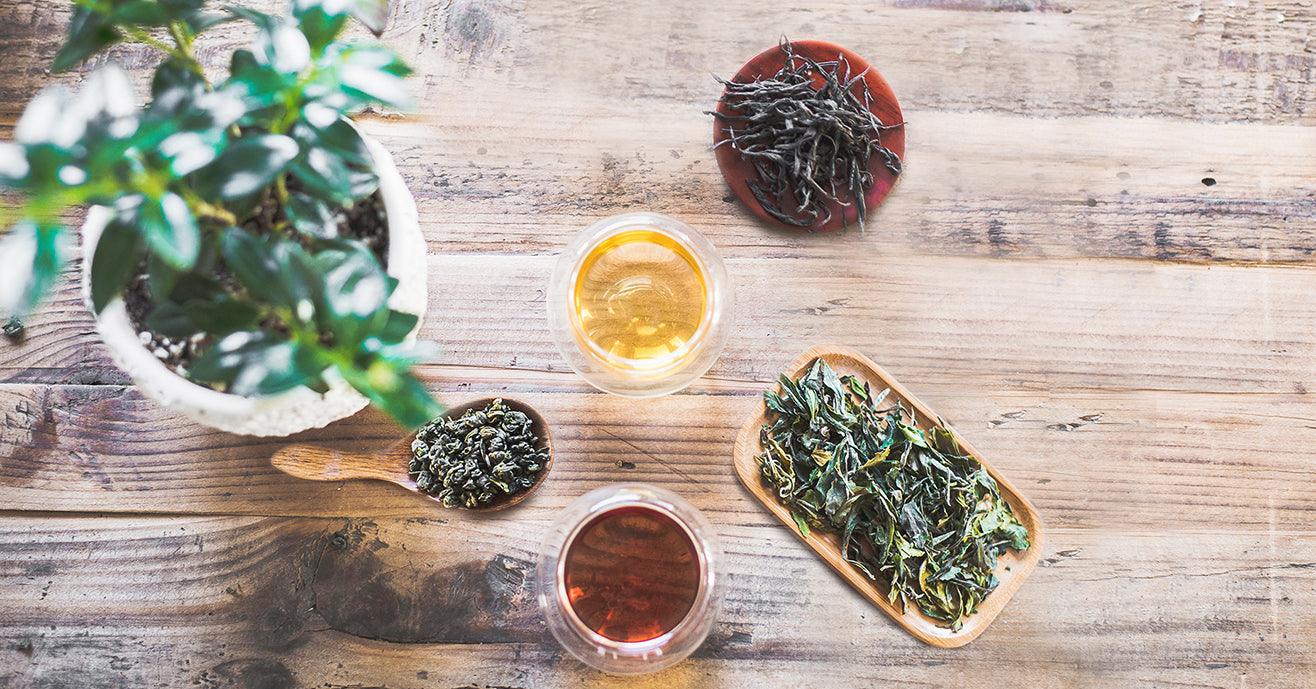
(320, 463)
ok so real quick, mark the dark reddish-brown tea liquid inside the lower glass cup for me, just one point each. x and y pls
(632, 574)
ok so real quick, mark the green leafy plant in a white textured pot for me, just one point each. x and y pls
(241, 227)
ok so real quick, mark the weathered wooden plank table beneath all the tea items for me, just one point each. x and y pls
(1098, 268)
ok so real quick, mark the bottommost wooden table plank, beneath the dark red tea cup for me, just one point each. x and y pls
(170, 602)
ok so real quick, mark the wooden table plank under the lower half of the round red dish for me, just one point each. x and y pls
(981, 185)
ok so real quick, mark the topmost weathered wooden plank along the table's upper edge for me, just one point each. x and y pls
(1210, 61)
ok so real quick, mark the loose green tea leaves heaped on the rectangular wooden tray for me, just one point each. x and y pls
(914, 515)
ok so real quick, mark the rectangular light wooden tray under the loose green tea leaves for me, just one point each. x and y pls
(1011, 569)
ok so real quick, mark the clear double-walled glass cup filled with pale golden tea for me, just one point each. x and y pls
(640, 304)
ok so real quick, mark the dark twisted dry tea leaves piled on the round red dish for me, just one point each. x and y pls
(810, 135)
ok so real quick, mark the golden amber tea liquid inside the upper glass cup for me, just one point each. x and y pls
(640, 300)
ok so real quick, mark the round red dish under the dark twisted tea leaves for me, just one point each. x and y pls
(739, 172)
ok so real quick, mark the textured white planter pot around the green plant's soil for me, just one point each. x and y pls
(285, 414)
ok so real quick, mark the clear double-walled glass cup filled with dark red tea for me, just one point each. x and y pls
(630, 579)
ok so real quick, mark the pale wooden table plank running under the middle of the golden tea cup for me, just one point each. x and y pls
(1053, 324)
